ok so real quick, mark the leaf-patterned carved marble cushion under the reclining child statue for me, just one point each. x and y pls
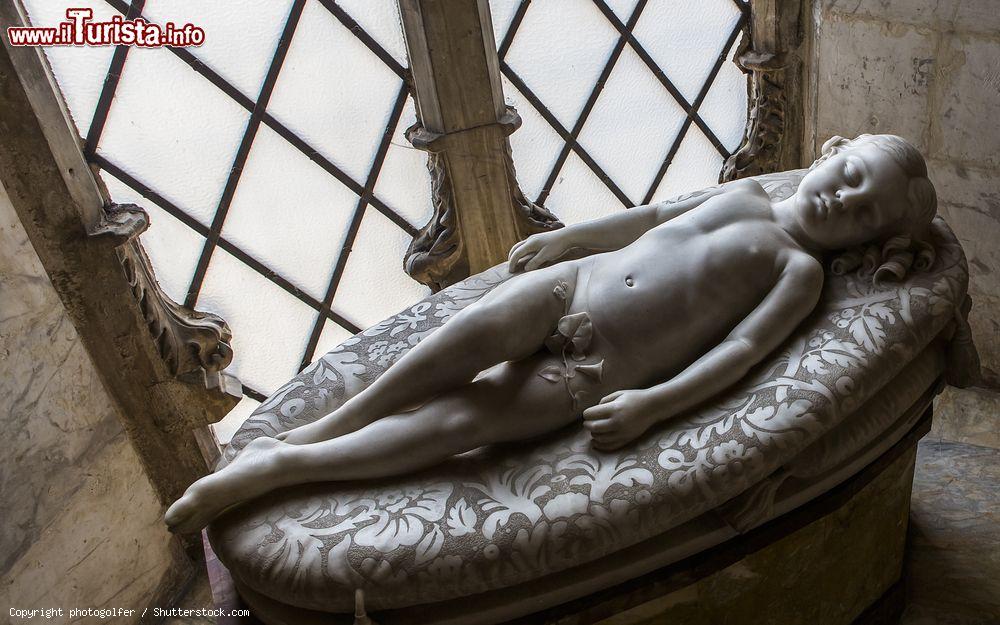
(510, 514)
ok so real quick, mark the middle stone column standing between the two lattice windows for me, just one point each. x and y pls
(479, 210)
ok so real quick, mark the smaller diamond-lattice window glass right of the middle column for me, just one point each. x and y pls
(619, 92)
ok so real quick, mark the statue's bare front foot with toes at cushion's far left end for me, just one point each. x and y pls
(254, 472)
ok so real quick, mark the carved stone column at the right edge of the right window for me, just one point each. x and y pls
(772, 55)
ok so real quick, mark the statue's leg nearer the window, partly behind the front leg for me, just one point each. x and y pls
(509, 323)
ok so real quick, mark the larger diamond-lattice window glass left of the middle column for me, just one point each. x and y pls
(271, 160)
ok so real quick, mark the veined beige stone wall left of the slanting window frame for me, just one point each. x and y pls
(81, 524)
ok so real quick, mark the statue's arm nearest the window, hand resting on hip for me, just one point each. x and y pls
(601, 235)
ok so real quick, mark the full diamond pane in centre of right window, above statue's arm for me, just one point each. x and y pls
(632, 126)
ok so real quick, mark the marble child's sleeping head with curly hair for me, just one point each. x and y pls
(869, 191)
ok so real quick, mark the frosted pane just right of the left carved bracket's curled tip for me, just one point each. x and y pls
(270, 326)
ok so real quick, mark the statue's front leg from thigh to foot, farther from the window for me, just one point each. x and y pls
(511, 403)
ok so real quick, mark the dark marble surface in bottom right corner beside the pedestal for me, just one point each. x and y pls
(953, 570)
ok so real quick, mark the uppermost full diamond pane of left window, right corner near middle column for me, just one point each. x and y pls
(333, 92)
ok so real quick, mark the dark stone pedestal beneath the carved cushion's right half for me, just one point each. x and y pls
(833, 570)
